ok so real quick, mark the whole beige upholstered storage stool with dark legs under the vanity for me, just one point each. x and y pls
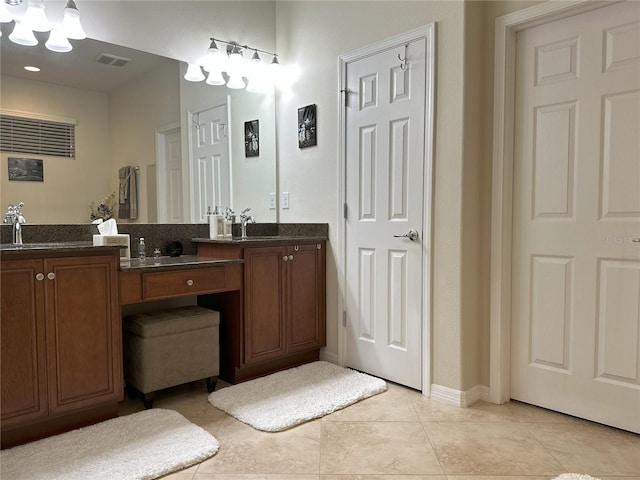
(170, 347)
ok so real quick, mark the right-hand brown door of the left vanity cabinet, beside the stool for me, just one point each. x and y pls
(83, 332)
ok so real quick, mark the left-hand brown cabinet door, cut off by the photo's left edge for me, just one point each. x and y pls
(24, 384)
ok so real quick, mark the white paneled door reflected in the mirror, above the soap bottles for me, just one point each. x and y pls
(210, 164)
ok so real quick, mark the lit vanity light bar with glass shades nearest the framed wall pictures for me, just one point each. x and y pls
(235, 70)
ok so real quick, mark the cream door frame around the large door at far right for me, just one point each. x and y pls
(506, 29)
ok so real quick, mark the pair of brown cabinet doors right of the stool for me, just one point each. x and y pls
(284, 301)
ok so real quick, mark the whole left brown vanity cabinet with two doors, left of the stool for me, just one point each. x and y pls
(61, 344)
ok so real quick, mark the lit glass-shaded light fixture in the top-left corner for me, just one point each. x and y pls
(34, 19)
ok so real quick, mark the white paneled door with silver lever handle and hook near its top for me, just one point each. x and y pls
(385, 157)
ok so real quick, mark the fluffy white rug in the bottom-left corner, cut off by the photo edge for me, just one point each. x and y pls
(141, 446)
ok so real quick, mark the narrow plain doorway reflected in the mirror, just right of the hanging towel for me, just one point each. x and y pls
(169, 174)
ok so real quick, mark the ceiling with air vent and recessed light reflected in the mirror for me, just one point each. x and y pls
(77, 68)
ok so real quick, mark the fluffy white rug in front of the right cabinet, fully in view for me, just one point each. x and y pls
(288, 398)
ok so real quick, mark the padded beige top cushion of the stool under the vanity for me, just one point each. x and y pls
(167, 322)
